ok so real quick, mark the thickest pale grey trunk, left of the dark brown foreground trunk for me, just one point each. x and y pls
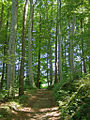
(12, 43)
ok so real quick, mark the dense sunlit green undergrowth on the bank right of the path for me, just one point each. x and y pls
(73, 99)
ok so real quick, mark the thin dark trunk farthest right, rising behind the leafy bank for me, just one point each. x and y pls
(83, 57)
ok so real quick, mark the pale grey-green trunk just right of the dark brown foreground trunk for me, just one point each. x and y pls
(31, 78)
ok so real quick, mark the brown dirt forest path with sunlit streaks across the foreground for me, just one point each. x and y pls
(39, 106)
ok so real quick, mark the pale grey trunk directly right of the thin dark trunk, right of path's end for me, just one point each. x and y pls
(59, 41)
